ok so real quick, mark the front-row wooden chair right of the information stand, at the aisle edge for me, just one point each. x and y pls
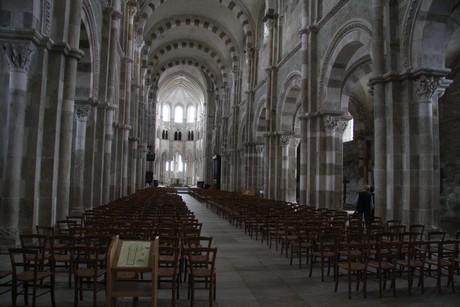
(202, 271)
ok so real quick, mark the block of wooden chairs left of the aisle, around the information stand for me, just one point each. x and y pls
(184, 254)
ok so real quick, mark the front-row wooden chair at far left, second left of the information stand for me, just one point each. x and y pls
(28, 272)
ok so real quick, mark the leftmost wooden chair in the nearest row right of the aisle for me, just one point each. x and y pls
(357, 255)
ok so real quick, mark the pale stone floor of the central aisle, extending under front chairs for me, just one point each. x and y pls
(250, 274)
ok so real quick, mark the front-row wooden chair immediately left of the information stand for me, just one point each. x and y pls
(87, 270)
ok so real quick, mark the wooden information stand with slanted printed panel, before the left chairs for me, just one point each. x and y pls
(131, 256)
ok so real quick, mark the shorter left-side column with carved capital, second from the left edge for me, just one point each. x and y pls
(82, 112)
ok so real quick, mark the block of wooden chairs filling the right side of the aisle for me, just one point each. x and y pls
(339, 241)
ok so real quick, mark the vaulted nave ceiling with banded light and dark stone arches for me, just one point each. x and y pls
(179, 36)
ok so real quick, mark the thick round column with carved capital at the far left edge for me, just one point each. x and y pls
(18, 57)
